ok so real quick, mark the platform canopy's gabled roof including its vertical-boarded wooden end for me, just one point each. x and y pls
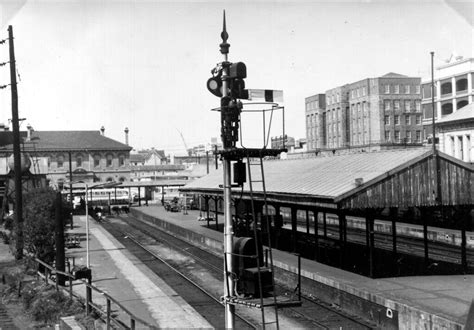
(334, 179)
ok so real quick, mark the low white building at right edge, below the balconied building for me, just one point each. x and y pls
(456, 133)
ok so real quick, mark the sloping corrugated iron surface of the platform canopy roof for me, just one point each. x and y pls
(326, 177)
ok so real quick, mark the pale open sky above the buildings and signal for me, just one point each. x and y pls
(144, 64)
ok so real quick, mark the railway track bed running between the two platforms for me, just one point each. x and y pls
(204, 269)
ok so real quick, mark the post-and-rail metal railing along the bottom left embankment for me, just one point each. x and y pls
(104, 315)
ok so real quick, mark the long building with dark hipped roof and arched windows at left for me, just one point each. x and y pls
(91, 156)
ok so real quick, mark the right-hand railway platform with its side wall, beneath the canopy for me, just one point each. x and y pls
(416, 302)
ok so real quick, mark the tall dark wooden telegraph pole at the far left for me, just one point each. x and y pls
(16, 152)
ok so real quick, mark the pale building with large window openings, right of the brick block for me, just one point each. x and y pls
(454, 89)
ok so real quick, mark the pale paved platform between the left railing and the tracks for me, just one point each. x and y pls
(121, 275)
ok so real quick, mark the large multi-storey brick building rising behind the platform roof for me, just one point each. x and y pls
(374, 112)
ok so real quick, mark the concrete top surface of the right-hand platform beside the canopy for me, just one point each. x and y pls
(424, 301)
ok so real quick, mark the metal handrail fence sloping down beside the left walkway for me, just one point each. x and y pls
(108, 298)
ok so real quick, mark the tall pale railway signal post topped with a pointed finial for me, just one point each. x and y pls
(228, 230)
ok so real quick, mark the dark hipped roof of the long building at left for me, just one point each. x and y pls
(66, 140)
